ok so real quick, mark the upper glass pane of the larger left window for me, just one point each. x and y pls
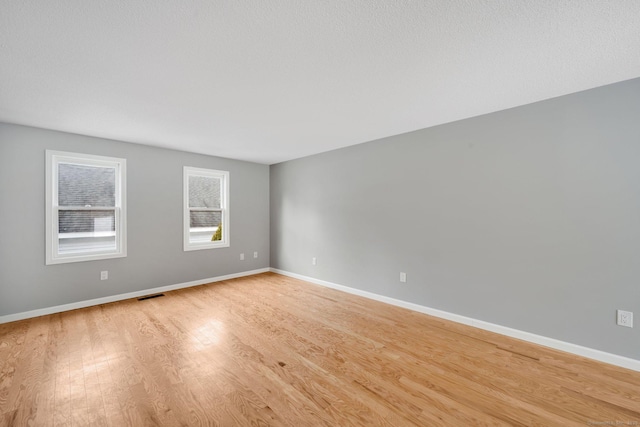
(81, 185)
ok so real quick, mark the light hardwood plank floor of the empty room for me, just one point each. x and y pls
(271, 350)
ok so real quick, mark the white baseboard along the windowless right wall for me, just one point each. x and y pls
(590, 353)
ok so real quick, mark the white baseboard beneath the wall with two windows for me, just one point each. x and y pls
(120, 297)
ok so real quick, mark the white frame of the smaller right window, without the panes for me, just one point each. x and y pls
(224, 208)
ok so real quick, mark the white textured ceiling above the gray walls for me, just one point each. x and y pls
(272, 80)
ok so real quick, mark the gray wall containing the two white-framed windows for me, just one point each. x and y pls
(155, 256)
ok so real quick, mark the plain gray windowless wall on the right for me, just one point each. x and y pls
(527, 218)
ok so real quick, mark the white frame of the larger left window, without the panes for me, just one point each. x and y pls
(55, 158)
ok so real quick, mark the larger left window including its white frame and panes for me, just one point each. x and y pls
(85, 207)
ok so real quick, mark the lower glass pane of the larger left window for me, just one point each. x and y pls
(86, 231)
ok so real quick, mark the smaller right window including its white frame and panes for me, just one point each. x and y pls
(206, 209)
